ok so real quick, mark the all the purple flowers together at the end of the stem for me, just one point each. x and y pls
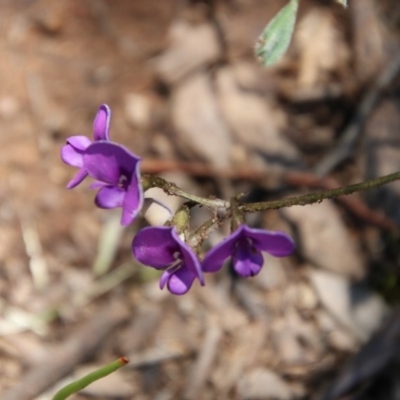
(116, 172)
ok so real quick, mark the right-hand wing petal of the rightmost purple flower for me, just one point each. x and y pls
(278, 244)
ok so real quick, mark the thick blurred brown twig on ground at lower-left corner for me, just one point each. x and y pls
(62, 359)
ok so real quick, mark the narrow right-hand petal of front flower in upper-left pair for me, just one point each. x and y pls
(133, 200)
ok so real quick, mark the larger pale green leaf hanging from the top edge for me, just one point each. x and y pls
(276, 37)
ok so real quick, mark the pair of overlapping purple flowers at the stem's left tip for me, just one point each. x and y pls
(115, 169)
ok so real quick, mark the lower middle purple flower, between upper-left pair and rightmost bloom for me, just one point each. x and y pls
(162, 249)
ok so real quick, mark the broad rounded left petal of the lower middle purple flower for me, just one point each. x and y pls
(155, 247)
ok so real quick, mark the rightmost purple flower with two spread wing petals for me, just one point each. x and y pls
(245, 246)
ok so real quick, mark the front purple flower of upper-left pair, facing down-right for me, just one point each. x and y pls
(117, 172)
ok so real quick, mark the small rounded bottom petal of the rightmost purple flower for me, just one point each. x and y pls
(246, 259)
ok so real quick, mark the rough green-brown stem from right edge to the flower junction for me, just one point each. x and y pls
(319, 196)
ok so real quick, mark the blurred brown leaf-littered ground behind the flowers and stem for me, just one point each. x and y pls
(188, 95)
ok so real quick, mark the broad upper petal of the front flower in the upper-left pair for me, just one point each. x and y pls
(109, 162)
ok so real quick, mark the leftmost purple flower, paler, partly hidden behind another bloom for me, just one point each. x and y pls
(72, 152)
